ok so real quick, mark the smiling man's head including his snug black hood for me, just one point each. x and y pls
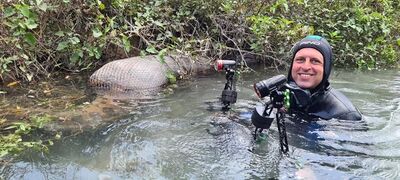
(311, 63)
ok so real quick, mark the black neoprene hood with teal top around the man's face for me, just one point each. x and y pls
(321, 44)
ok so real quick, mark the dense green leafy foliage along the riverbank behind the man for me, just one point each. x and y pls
(39, 37)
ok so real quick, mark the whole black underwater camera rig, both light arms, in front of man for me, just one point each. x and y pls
(282, 96)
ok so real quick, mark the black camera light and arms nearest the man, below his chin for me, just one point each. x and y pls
(281, 96)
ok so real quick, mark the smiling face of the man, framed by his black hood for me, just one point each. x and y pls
(308, 68)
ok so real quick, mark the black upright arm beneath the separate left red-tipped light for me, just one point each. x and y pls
(229, 94)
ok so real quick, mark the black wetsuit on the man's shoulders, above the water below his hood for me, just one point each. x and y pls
(328, 104)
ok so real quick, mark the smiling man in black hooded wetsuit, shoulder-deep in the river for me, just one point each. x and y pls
(312, 60)
